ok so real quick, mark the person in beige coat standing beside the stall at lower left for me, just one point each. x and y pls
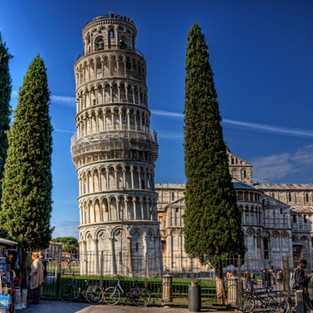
(36, 277)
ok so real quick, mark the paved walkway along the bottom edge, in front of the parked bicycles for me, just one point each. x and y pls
(61, 307)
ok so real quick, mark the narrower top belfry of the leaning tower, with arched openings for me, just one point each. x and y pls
(110, 31)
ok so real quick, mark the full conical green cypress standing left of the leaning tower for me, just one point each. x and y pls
(27, 184)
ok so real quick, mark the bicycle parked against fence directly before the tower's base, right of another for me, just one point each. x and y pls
(138, 295)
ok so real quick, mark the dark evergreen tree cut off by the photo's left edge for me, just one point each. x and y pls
(5, 109)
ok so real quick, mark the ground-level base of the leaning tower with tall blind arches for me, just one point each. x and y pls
(121, 248)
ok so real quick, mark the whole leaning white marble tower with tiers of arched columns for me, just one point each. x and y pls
(114, 151)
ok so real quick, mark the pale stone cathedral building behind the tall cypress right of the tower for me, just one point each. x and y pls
(276, 219)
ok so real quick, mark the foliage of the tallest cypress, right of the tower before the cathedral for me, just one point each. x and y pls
(212, 218)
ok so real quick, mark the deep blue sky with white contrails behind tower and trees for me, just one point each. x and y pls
(260, 52)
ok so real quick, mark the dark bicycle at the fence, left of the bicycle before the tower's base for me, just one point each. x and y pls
(70, 291)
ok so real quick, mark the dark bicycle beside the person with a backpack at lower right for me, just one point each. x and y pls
(273, 301)
